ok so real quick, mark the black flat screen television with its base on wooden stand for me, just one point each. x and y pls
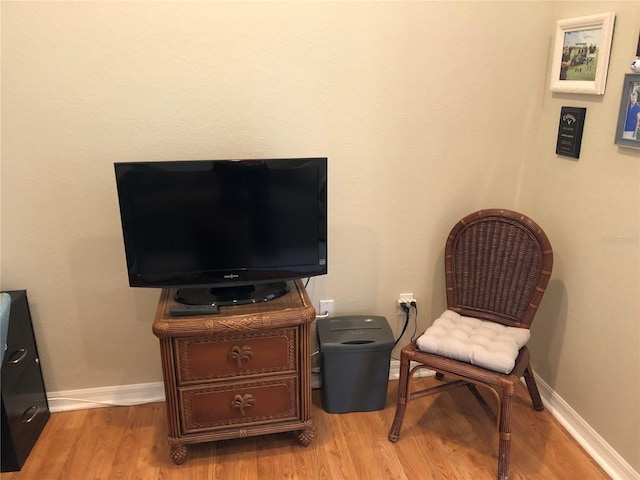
(223, 232)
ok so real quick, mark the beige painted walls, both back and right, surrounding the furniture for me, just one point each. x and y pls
(426, 110)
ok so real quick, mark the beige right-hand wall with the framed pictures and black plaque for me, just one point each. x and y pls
(587, 338)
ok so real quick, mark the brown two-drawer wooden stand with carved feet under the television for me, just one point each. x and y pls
(243, 372)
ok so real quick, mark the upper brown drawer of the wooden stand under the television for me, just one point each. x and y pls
(265, 352)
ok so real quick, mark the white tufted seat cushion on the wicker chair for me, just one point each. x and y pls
(479, 342)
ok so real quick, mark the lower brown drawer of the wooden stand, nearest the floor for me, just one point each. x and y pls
(239, 404)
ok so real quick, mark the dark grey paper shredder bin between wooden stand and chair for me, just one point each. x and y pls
(355, 352)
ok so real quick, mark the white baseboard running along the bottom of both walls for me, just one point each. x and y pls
(124, 395)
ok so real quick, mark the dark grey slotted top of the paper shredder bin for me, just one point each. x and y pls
(354, 332)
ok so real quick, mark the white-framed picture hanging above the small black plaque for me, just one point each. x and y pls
(581, 54)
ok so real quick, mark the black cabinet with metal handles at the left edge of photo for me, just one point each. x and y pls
(25, 410)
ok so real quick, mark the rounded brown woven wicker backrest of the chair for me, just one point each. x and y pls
(497, 267)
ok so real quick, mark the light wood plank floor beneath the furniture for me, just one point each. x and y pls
(436, 442)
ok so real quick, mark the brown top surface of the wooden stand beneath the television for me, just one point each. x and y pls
(290, 309)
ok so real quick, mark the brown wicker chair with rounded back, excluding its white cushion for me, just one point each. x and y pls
(497, 266)
